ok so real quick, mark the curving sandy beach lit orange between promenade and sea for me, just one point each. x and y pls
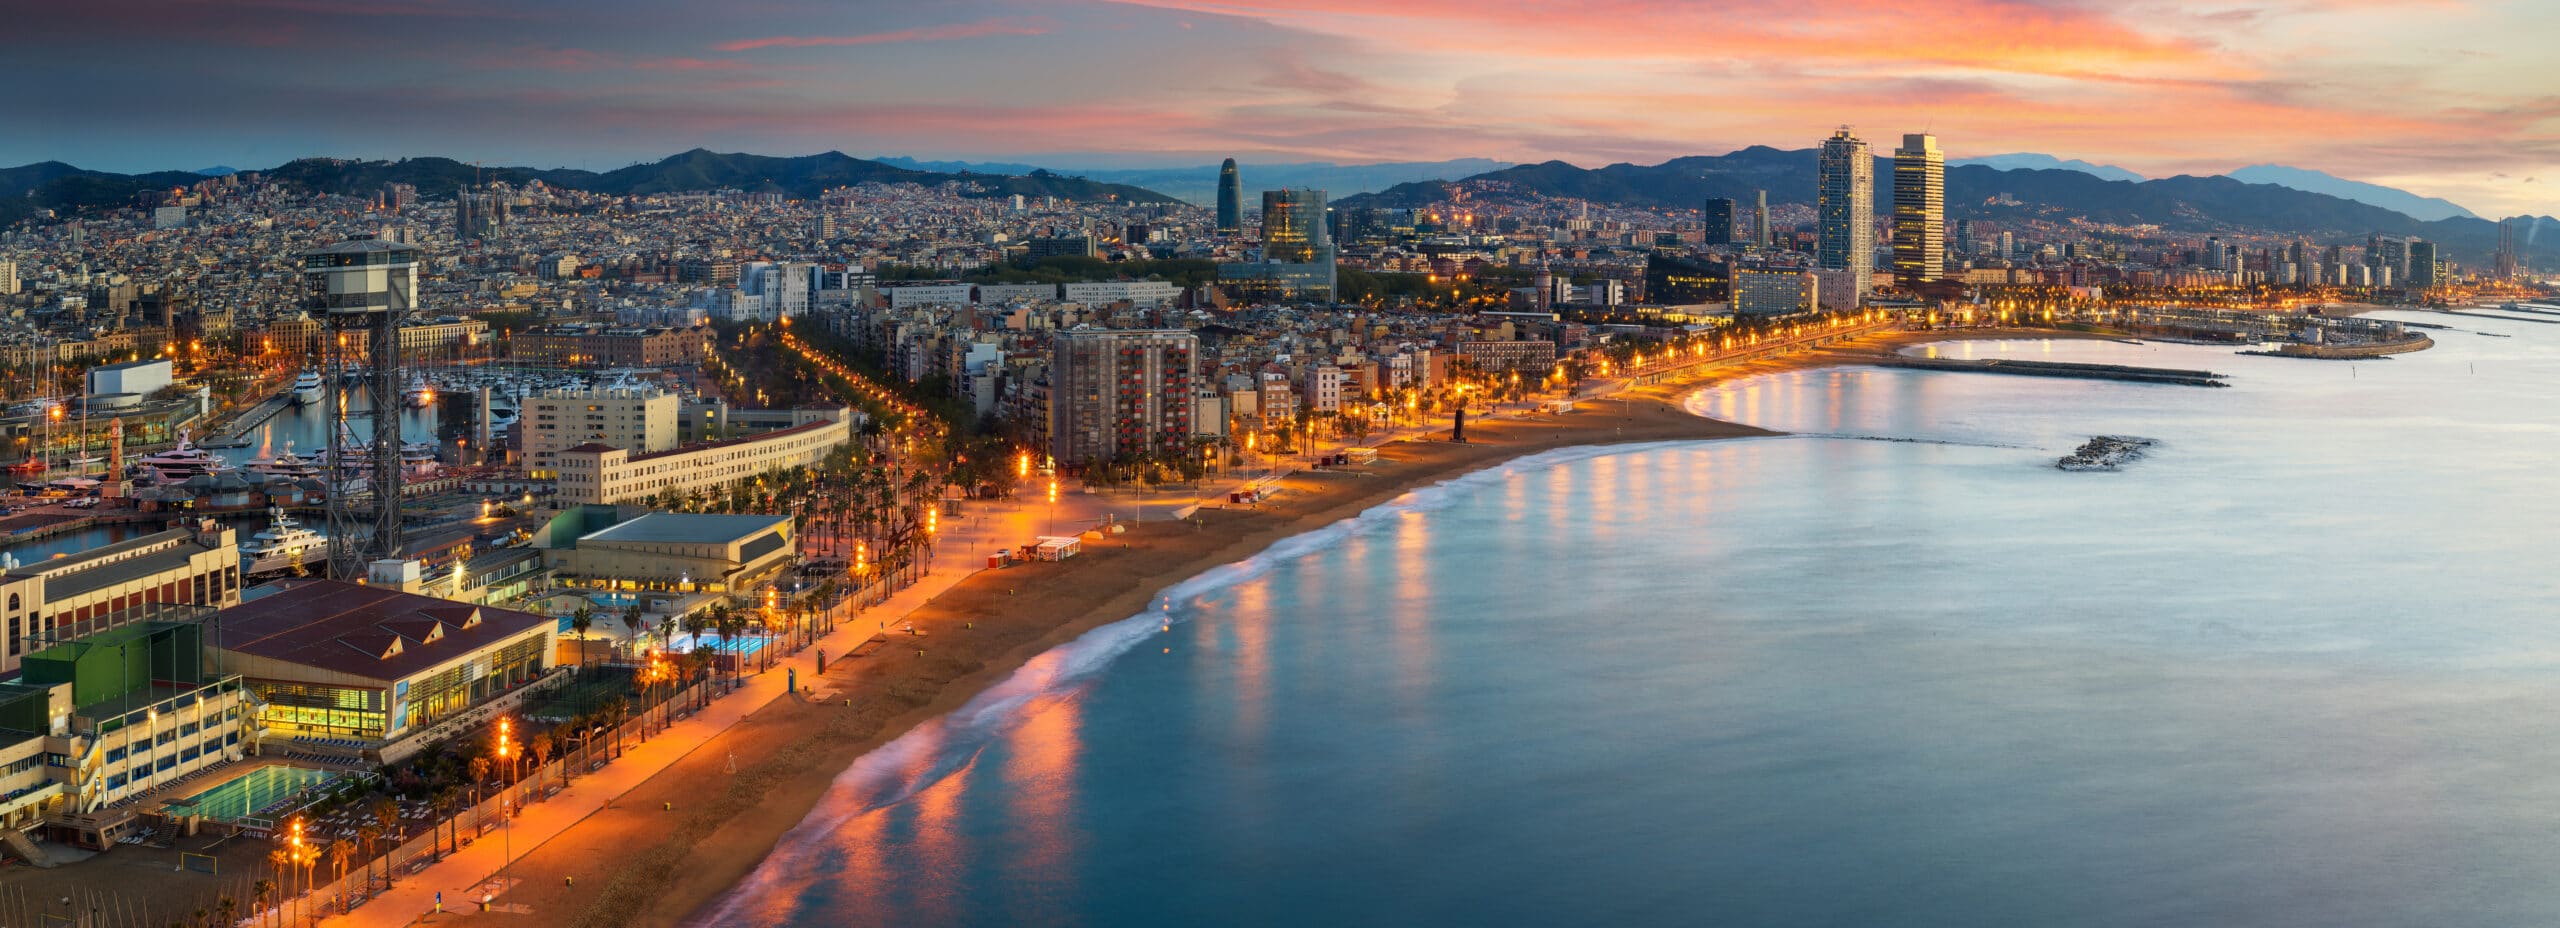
(680, 842)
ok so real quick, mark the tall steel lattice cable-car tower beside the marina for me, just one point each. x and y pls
(362, 291)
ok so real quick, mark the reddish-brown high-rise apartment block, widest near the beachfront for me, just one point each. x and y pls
(1123, 394)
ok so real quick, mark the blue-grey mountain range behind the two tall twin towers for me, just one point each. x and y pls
(1972, 191)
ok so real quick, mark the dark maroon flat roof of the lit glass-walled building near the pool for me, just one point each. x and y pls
(365, 632)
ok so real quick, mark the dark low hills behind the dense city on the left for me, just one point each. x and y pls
(52, 186)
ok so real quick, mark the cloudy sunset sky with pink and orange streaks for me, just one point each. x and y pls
(2451, 99)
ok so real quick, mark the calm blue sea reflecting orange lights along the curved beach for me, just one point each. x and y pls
(2295, 668)
